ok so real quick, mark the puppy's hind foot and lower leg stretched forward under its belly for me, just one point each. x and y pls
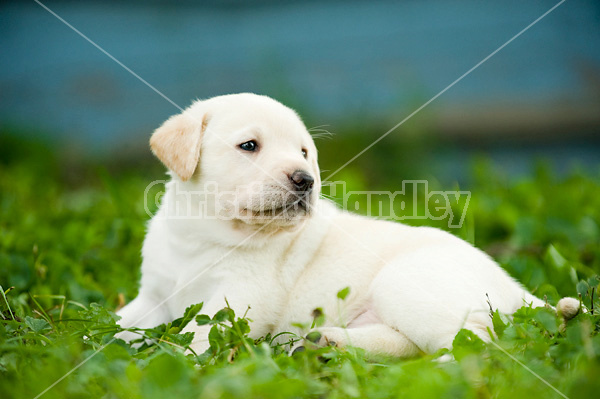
(373, 338)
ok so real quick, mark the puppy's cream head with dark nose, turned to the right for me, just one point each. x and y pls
(254, 153)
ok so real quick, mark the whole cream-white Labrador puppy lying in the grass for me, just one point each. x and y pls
(241, 220)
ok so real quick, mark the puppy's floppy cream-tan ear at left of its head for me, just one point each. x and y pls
(177, 143)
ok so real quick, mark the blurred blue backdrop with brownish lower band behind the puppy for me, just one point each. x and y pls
(358, 67)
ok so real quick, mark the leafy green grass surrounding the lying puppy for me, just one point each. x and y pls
(70, 239)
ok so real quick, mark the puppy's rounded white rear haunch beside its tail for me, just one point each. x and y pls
(429, 296)
